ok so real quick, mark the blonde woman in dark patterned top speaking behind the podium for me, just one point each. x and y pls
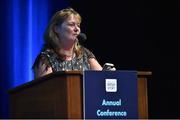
(62, 50)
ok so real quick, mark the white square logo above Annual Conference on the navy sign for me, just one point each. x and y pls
(111, 85)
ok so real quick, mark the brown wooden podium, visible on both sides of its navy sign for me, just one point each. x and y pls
(60, 95)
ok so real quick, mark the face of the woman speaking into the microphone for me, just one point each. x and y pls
(69, 29)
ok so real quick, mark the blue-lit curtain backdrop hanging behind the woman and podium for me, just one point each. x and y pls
(23, 25)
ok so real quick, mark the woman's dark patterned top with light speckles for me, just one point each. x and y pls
(51, 59)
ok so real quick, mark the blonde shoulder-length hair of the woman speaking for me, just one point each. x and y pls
(50, 36)
